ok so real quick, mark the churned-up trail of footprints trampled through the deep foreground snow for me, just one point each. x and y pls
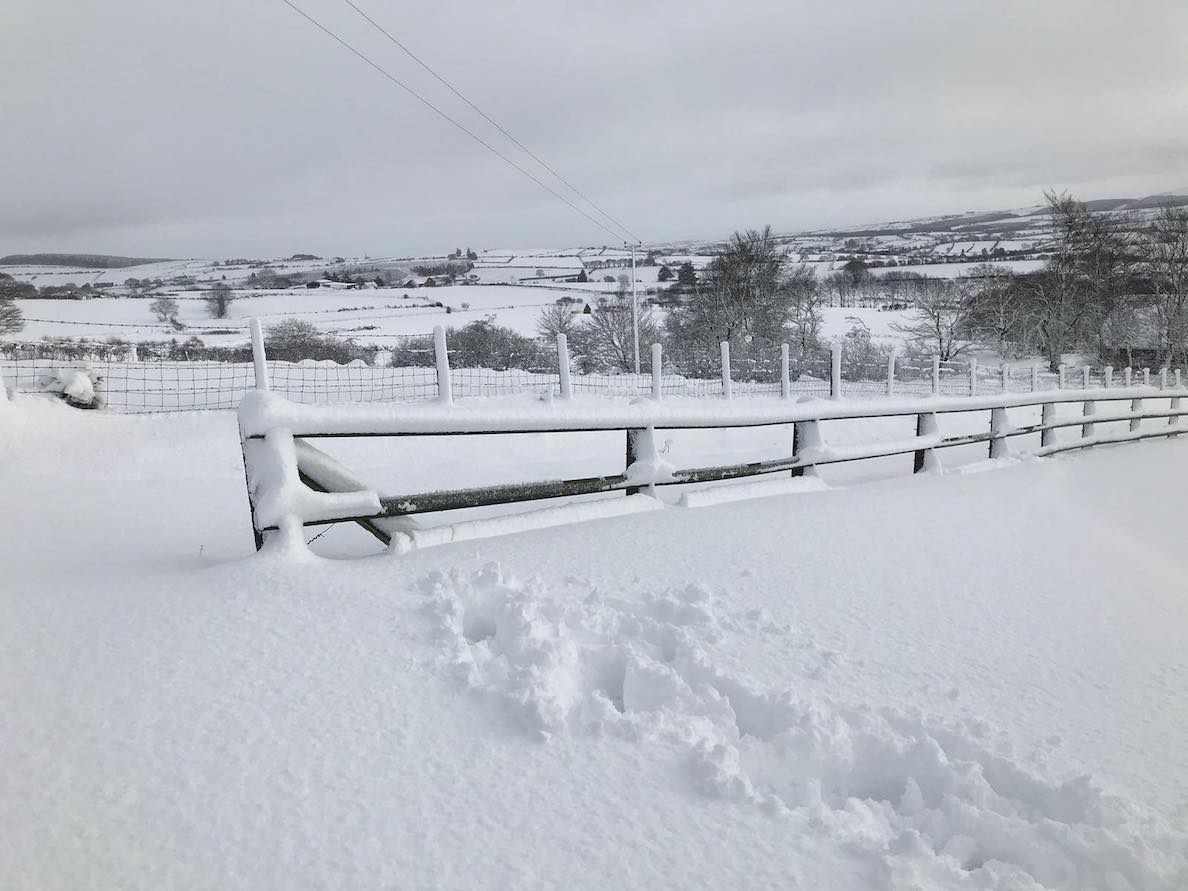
(932, 805)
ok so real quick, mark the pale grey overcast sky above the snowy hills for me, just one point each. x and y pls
(233, 128)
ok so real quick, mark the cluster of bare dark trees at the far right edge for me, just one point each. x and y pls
(1113, 288)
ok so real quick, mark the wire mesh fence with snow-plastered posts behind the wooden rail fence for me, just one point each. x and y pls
(137, 387)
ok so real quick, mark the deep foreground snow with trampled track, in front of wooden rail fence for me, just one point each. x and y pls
(965, 681)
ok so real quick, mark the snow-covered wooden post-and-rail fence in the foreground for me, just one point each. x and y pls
(292, 484)
